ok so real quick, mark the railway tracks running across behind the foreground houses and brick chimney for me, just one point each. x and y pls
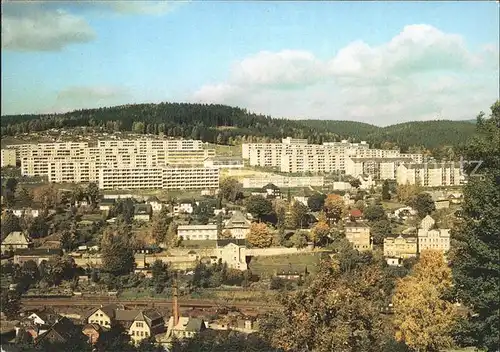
(187, 303)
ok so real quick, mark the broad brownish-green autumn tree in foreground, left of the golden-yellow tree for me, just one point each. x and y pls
(335, 312)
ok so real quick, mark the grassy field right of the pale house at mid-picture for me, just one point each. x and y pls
(268, 266)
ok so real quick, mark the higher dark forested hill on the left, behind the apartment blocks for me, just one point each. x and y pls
(211, 123)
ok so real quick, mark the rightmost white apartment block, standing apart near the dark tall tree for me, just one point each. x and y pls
(430, 174)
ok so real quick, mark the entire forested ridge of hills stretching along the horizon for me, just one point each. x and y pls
(225, 124)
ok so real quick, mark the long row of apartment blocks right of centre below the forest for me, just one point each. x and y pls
(297, 156)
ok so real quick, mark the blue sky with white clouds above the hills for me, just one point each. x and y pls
(375, 62)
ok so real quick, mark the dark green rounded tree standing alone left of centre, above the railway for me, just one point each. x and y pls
(116, 252)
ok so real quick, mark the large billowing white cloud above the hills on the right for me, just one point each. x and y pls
(421, 73)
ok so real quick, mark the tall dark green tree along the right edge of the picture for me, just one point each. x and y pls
(475, 255)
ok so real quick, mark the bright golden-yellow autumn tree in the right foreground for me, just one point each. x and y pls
(423, 319)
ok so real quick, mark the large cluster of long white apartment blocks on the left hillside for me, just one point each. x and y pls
(123, 164)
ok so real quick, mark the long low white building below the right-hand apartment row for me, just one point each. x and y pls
(283, 181)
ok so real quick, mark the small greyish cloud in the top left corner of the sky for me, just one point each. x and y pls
(32, 28)
